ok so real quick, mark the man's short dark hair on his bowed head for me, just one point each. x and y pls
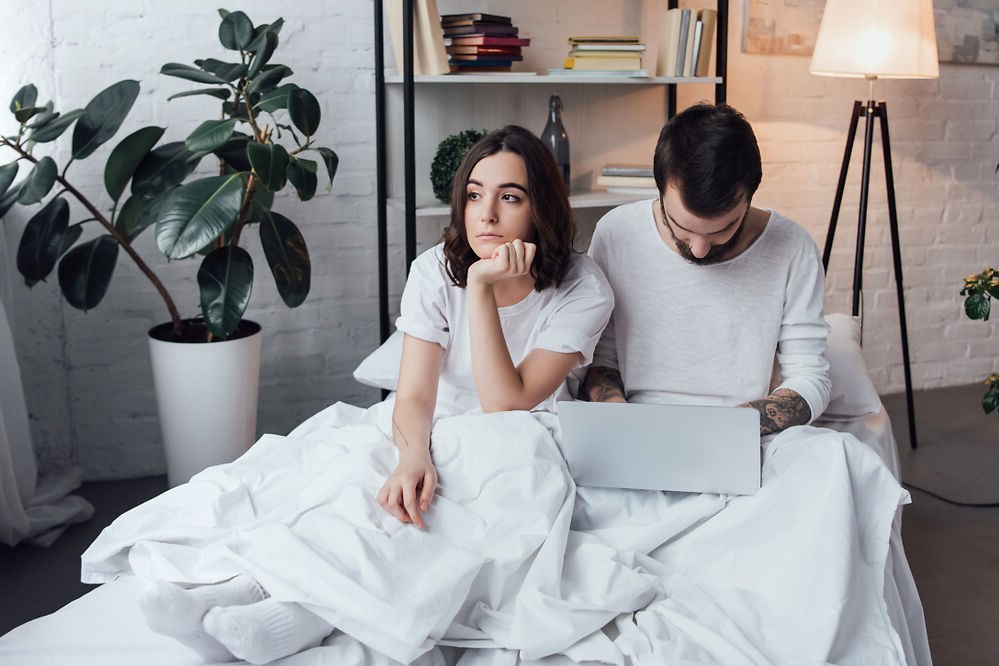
(709, 154)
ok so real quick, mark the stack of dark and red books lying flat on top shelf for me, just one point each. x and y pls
(479, 42)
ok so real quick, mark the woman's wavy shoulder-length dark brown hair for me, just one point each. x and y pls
(551, 214)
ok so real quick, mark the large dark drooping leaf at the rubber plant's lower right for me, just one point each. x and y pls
(287, 255)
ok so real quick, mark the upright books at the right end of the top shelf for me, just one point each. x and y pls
(686, 42)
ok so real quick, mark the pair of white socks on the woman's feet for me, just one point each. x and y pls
(231, 620)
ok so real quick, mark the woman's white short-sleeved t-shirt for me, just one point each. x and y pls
(568, 318)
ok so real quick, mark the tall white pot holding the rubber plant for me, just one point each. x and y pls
(207, 399)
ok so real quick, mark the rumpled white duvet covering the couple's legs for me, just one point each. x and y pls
(519, 564)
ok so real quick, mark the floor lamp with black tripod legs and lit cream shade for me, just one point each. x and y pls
(875, 39)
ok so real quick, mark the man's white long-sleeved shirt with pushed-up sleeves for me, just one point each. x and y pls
(684, 333)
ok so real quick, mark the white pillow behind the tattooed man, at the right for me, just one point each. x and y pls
(853, 393)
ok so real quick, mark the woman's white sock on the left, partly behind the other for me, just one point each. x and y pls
(177, 612)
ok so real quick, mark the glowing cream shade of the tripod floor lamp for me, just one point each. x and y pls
(884, 39)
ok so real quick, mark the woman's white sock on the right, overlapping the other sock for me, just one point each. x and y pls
(267, 630)
